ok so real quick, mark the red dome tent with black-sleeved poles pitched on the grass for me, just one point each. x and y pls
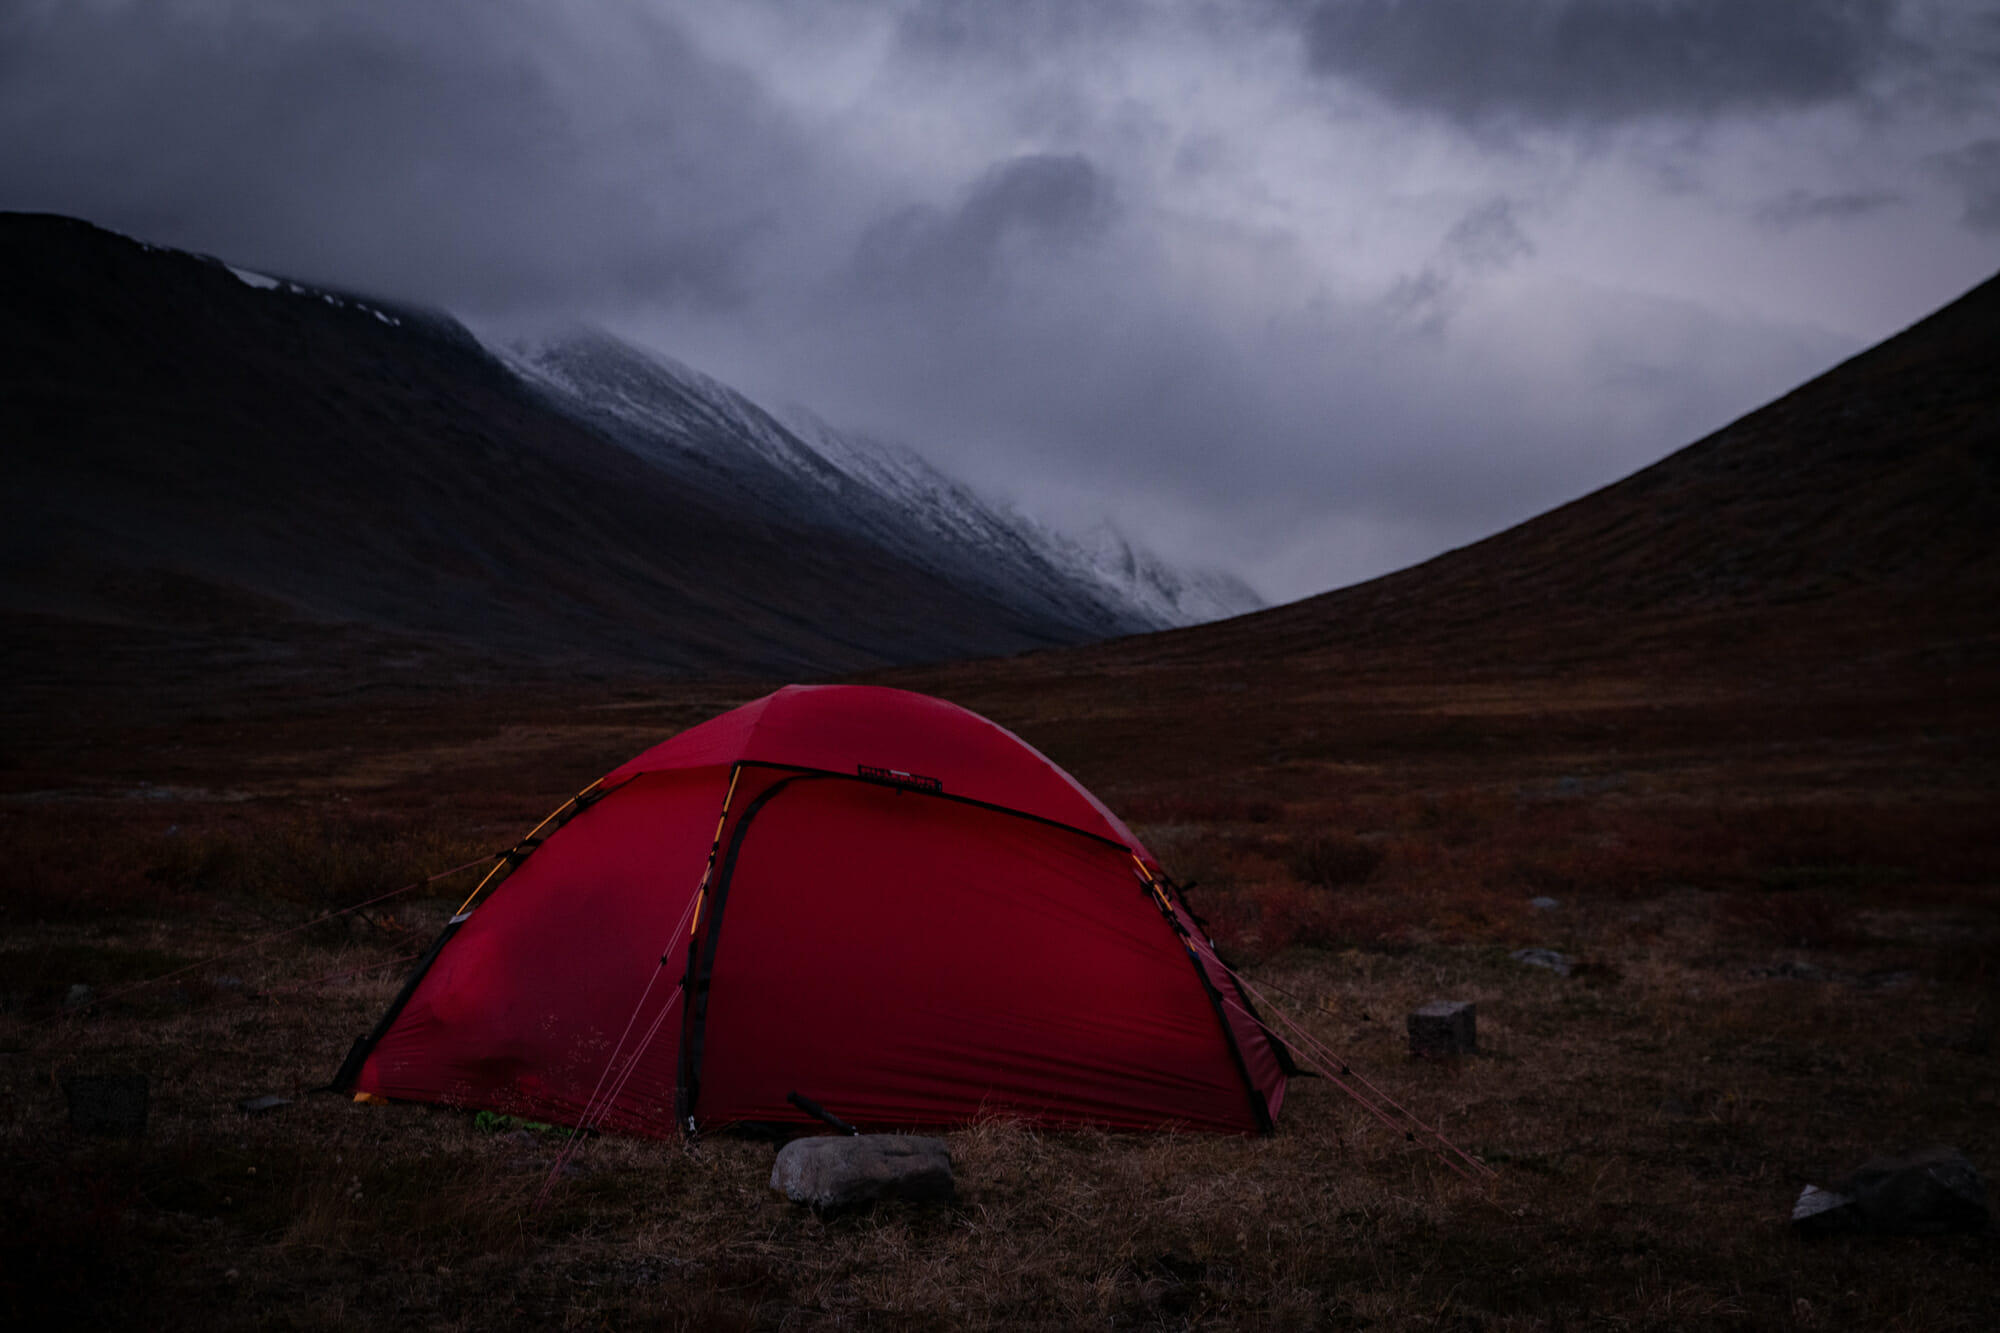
(865, 896)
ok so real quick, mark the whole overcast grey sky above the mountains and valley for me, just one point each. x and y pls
(1305, 289)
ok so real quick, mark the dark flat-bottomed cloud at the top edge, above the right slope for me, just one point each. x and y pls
(1601, 61)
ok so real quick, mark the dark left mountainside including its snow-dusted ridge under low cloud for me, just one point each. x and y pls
(211, 449)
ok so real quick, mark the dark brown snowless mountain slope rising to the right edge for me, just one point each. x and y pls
(1859, 509)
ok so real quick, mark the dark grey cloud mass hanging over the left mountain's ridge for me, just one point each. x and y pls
(453, 151)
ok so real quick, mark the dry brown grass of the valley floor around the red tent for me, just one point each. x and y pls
(1781, 974)
